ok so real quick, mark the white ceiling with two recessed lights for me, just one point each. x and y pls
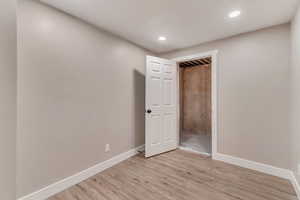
(184, 22)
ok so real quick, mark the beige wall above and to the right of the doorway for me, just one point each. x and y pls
(253, 75)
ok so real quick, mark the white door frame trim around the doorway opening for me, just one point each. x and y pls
(215, 97)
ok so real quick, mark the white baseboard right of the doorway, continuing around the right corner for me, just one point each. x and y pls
(264, 168)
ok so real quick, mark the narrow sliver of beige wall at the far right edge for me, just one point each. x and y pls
(295, 94)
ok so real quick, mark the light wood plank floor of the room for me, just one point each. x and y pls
(179, 175)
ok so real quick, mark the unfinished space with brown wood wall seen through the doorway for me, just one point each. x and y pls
(195, 105)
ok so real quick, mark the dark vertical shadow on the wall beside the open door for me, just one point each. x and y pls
(139, 108)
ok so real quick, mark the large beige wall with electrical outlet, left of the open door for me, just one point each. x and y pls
(79, 88)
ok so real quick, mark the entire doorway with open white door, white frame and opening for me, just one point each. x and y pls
(166, 116)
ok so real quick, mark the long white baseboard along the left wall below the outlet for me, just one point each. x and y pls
(79, 177)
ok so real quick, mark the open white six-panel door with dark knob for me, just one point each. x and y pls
(161, 106)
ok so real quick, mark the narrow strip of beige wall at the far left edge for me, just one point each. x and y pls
(8, 82)
